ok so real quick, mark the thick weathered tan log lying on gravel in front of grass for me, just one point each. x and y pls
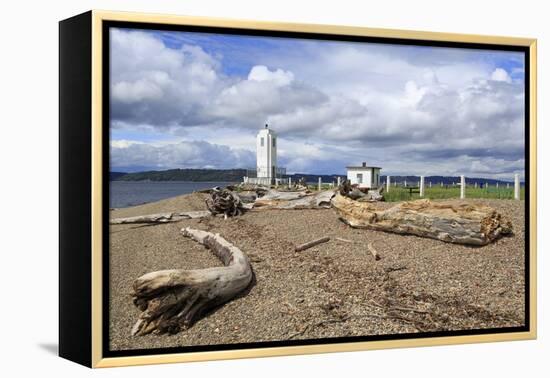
(446, 221)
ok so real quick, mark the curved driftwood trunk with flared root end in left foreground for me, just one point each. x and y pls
(171, 300)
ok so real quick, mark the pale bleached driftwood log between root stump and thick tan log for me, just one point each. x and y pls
(294, 200)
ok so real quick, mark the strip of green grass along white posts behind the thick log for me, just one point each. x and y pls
(401, 194)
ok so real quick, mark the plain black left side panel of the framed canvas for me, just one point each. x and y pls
(75, 107)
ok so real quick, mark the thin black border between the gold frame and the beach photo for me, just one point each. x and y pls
(106, 25)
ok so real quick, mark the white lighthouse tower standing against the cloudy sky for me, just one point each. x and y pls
(266, 156)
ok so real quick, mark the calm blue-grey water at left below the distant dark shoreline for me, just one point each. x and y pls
(131, 193)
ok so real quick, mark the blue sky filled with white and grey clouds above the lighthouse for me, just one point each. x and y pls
(194, 100)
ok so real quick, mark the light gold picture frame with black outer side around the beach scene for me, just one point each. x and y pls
(92, 24)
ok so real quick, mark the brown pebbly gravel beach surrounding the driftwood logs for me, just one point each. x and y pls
(331, 290)
